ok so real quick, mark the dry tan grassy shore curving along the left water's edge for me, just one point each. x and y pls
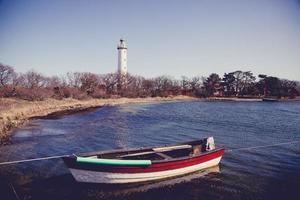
(15, 112)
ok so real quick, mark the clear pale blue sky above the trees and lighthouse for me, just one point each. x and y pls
(165, 37)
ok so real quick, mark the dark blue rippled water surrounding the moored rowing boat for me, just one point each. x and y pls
(269, 173)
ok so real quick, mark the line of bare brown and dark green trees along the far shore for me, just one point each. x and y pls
(80, 85)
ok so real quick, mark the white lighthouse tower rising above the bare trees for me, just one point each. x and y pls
(122, 58)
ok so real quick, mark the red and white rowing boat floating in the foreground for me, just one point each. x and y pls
(144, 164)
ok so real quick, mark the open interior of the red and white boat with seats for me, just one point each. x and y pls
(161, 153)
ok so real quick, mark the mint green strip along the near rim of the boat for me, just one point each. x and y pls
(114, 161)
